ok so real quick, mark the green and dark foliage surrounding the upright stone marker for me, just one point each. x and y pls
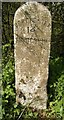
(55, 109)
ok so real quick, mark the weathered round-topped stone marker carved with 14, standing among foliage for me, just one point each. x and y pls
(32, 36)
